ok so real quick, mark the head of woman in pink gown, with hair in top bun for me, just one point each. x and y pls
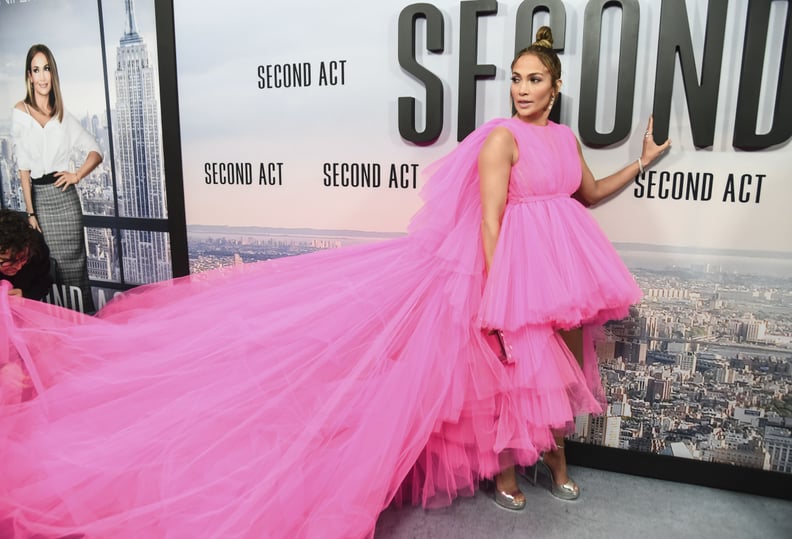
(536, 79)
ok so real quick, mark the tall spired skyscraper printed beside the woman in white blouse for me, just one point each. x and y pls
(138, 157)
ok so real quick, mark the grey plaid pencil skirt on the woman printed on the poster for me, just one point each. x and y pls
(59, 214)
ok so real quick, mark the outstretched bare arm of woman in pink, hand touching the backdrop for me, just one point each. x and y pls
(592, 191)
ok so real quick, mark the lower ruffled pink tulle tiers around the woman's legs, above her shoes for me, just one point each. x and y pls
(540, 394)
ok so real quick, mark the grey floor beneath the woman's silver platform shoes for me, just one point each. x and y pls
(611, 505)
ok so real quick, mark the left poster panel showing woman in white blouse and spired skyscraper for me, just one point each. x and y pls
(112, 169)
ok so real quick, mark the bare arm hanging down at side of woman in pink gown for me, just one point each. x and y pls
(494, 166)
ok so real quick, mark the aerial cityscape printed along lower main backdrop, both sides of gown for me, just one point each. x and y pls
(701, 369)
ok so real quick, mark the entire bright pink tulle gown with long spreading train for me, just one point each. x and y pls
(299, 397)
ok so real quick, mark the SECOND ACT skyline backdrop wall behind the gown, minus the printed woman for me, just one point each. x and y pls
(306, 125)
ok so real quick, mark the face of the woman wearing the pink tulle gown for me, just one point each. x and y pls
(532, 89)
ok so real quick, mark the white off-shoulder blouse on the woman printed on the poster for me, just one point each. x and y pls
(42, 150)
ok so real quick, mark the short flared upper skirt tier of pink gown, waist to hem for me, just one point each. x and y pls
(562, 267)
